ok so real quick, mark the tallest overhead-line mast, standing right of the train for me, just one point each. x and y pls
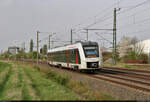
(114, 38)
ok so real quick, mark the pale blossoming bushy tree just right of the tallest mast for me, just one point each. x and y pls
(131, 49)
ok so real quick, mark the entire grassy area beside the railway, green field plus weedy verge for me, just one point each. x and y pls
(26, 82)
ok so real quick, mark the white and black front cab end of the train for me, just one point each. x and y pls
(92, 57)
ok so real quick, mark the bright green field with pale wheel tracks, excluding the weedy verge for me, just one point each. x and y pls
(18, 82)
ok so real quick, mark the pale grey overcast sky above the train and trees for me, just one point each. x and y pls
(20, 19)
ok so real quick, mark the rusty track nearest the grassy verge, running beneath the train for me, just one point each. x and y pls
(135, 86)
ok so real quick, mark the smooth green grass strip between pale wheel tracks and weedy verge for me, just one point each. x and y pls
(47, 89)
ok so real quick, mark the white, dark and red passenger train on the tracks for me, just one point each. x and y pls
(77, 56)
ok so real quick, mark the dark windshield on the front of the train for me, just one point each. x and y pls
(91, 51)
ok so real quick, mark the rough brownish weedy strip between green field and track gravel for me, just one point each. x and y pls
(82, 89)
